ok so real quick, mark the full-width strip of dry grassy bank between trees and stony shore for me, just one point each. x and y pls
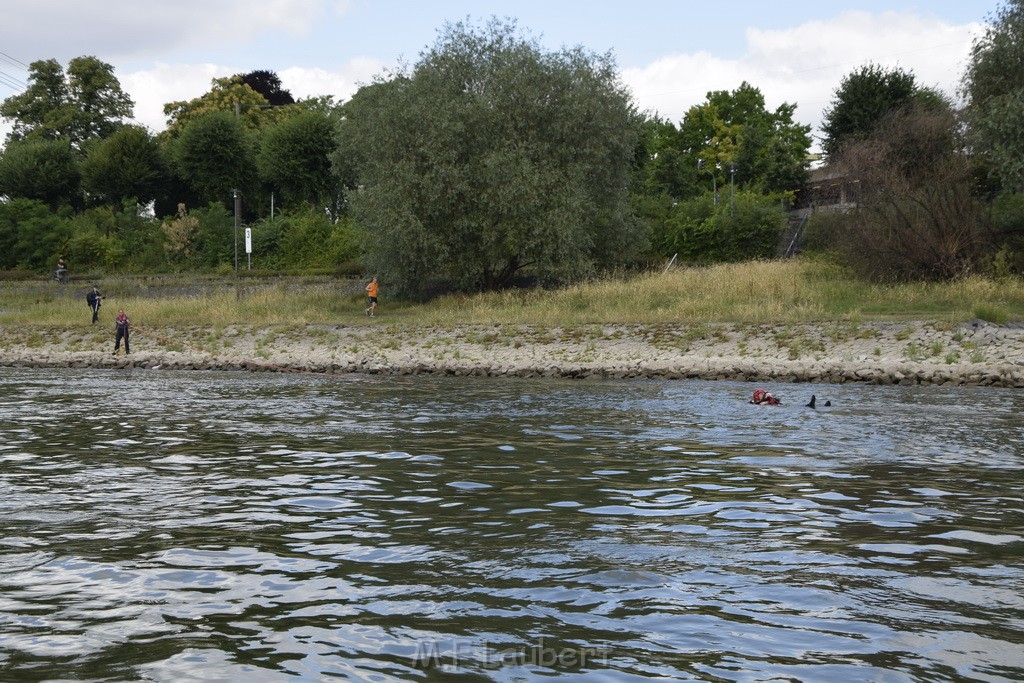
(779, 292)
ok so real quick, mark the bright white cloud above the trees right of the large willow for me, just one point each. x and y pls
(806, 64)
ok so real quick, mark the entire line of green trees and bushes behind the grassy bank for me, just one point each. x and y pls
(492, 161)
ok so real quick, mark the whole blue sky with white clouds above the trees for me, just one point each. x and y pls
(670, 54)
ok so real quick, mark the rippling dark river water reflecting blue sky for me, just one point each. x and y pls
(173, 527)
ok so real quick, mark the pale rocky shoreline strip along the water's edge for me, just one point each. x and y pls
(975, 354)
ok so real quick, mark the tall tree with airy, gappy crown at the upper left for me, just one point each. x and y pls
(84, 104)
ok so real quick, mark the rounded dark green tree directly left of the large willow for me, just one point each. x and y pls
(295, 160)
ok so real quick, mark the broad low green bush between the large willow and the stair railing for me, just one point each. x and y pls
(748, 228)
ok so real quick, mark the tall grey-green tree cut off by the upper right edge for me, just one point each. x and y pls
(994, 86)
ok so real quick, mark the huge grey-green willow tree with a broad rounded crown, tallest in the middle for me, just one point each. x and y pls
(492, 158)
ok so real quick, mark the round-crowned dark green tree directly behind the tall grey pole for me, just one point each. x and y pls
(217, 156)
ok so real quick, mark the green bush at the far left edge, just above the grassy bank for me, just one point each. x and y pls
(31, 237)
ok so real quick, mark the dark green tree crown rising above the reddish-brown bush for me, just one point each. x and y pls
(862, 101)
